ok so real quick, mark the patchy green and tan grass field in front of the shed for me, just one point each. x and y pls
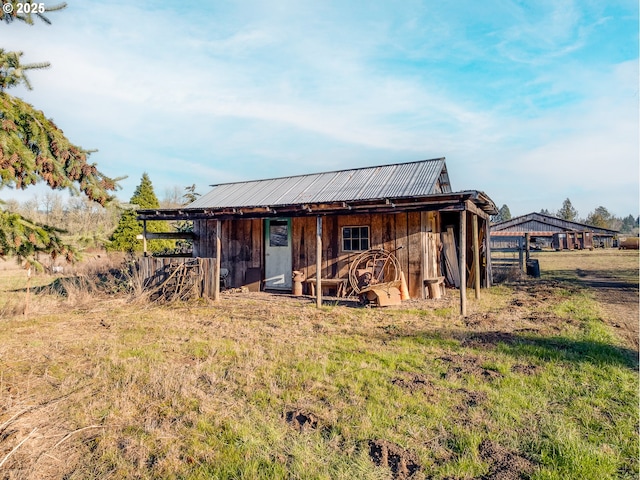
(539, 381)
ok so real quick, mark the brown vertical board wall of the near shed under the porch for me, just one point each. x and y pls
(242, 243)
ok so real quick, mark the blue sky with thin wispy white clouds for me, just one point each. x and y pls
(529, 101)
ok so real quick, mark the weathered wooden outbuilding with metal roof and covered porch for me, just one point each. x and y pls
(263, 231)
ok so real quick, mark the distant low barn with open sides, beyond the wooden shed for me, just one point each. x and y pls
(550, 231)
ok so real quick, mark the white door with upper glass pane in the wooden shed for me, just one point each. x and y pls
(277, 253)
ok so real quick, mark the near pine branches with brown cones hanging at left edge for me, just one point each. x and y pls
(33, 149)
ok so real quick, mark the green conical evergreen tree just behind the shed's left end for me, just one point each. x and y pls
(129, 227)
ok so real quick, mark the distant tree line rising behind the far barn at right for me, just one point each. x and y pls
(600, 217)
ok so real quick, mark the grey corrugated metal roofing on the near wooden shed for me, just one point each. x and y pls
(398, 180)
